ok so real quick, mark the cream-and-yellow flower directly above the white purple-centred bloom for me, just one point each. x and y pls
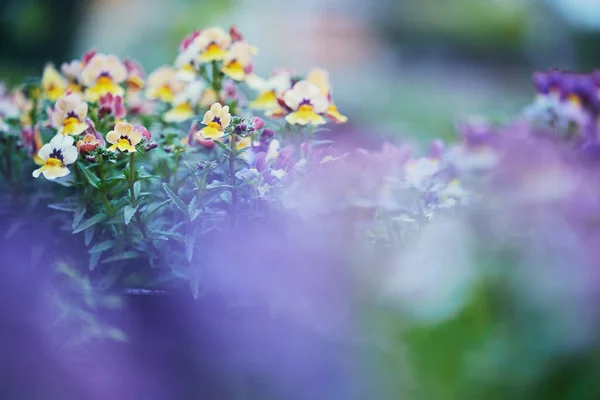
(68, 115)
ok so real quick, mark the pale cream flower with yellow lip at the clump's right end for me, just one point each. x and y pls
(306, 102)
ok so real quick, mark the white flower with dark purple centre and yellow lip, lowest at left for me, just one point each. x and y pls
(56, 155)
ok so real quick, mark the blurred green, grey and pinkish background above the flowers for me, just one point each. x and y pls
(409, 67)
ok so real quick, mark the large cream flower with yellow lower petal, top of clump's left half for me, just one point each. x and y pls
(103, 74)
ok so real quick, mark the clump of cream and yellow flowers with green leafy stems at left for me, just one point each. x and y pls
(148, 166)
